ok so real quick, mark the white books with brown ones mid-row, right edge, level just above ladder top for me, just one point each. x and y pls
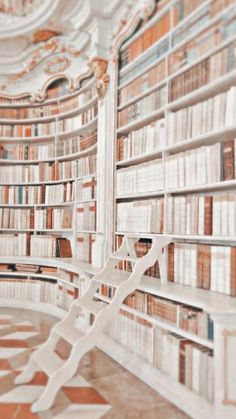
(202, 214)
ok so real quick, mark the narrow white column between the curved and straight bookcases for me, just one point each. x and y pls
(105, 170)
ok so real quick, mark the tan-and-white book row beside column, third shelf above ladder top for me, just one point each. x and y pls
(142, 141)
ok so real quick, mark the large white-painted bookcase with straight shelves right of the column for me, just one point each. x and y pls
(137, 57)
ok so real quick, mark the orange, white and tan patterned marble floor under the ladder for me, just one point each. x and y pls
(101, 388)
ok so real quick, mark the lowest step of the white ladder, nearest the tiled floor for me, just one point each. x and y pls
(48, 361)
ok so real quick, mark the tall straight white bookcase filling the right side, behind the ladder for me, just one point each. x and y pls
(195, 63)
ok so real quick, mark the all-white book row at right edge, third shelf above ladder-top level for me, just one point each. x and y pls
(212, 114)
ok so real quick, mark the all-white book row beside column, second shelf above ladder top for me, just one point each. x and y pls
(142, 178)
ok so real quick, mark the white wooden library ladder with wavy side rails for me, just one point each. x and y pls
(44, 358)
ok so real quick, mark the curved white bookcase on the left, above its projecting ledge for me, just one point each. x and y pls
(47, 150)
